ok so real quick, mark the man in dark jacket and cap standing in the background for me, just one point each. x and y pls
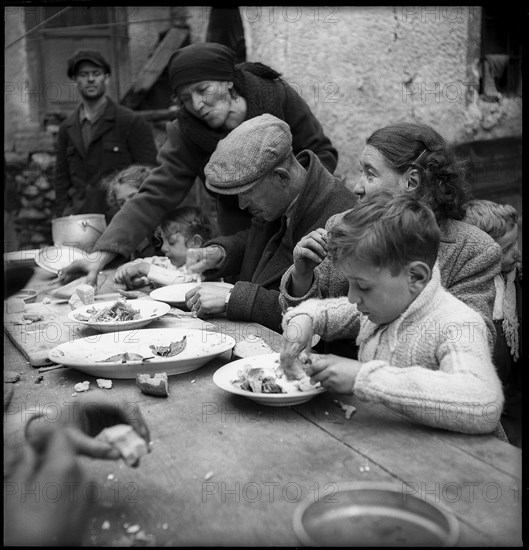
(98, 138)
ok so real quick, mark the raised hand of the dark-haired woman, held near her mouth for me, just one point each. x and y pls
(310, 251)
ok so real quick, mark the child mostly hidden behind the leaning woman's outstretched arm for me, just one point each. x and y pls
(121, 186)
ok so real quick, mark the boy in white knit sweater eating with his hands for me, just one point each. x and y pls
(422, 352)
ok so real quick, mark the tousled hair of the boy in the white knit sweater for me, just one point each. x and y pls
(387, 231)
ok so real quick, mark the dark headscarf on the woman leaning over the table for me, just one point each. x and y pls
(201, 61)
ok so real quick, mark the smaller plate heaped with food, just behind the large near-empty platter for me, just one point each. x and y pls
(121, 314)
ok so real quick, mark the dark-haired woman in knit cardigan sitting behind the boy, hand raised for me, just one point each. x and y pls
(414, 158)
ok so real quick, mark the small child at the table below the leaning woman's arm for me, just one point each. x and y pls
(180, 229)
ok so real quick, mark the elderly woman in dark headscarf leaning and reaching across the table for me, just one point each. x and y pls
(215, 95)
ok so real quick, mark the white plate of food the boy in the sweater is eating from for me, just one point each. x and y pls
(262, 379)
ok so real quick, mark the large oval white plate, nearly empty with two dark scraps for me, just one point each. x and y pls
(83, 353)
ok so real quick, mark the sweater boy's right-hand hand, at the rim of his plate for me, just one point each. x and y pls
(335, 373)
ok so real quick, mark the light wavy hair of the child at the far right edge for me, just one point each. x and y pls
(492, 217)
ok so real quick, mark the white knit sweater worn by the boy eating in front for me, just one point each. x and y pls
(432, 364)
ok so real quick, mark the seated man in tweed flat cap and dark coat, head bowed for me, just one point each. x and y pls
(287, 195)
